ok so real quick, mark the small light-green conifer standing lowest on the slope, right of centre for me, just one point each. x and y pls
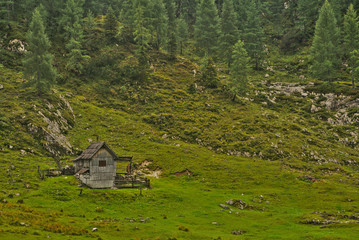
(239, 70)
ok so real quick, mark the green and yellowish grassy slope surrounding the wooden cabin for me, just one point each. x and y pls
(182, 208)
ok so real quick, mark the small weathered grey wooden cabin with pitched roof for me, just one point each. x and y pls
(96, 166)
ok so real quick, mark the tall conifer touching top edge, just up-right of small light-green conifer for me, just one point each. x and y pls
(253, 34)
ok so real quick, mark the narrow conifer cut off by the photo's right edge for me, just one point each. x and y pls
(351, 31)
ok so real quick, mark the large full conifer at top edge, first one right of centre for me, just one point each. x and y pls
(206, 29)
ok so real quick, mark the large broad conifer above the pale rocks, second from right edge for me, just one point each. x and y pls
(324, 50)
